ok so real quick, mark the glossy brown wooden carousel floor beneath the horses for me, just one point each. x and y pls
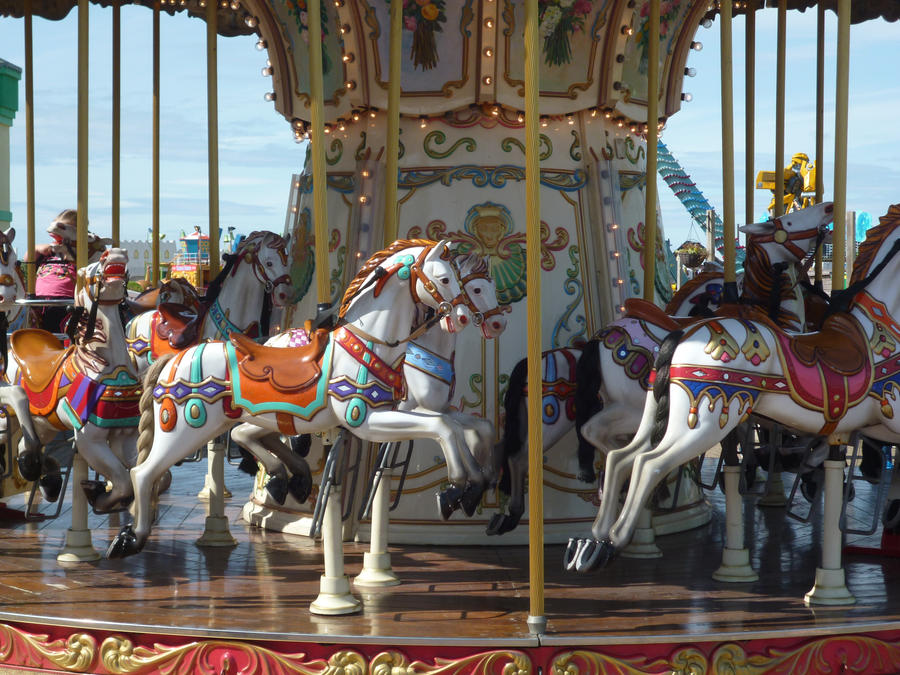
(262, 588)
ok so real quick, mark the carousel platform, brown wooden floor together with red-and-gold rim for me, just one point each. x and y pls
(178, 608)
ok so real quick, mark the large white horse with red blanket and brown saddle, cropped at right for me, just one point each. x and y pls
(710, 378)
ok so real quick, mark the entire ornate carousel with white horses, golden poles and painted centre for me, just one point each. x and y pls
(477, 222)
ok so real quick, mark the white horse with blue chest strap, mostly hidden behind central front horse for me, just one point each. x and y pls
(428, 374)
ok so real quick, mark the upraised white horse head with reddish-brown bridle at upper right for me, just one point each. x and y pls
(789, 238)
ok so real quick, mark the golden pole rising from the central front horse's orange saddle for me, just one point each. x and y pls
(317, 147)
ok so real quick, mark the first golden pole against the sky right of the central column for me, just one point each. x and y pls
(727, 150)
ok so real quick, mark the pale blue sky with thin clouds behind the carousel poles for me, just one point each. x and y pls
(258, 155)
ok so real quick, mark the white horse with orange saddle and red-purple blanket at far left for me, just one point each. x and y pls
(89, 387)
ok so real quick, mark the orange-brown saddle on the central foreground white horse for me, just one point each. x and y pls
(286, 369)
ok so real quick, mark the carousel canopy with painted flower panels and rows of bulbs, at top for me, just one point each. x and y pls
(594, 52)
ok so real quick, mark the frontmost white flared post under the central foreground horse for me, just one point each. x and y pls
(334, 587)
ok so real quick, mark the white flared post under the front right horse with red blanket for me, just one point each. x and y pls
(830, 587)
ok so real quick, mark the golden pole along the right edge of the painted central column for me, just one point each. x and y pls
(652, 134)
